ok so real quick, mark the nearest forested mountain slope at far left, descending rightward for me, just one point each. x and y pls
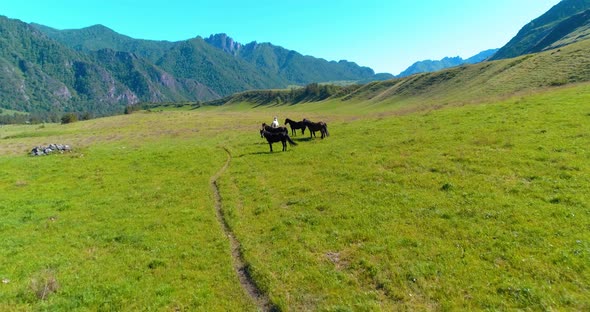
(39, 74)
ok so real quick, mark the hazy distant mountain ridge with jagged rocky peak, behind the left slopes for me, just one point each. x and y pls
(219, 62)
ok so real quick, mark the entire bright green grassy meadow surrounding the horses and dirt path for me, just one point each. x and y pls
(473, 207)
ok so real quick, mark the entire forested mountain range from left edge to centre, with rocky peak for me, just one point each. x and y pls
(97, 70)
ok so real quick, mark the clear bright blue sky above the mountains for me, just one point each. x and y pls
(386, 35)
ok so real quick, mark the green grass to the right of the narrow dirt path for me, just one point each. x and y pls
(476, 207)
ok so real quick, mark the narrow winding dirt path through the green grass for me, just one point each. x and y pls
(240, 265)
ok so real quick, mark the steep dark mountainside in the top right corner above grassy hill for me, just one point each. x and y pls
(565, 23)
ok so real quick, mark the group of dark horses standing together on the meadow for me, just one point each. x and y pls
(281, 134)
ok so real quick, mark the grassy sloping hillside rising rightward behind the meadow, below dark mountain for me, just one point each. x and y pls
(460, 85)
